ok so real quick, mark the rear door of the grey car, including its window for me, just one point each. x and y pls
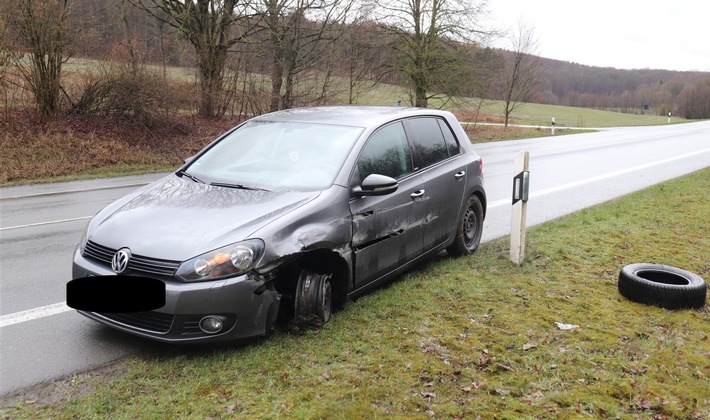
(442, 177)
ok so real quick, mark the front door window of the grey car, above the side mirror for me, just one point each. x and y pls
(386, 153)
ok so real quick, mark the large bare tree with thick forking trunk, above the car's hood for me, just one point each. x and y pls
(211, 26)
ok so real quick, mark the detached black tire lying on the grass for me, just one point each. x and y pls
(662, 285)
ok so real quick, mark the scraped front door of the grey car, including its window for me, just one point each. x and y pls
(386, 231)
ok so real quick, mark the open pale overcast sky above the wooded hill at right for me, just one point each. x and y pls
(626, 34)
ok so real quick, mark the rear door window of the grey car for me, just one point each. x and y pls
(428, 143)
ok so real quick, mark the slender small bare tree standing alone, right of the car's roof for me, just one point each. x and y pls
(521, 74)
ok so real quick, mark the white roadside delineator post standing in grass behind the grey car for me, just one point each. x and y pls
(521, 184)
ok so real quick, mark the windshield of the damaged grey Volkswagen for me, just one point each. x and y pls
(274, 155)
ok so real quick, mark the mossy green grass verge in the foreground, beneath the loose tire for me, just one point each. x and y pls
(466, 337)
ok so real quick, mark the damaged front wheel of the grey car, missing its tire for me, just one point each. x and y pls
(314, 297)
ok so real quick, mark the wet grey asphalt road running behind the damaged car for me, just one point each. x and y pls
(42, 339)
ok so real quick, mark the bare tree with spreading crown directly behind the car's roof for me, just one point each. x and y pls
(425, 34)
